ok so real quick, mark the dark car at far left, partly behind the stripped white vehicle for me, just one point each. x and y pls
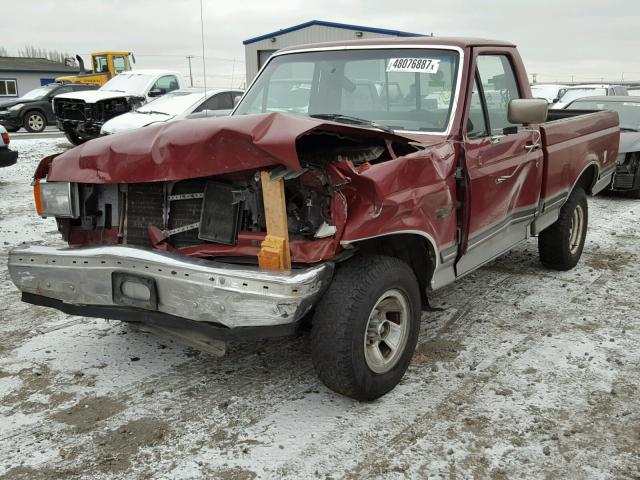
(33, 110)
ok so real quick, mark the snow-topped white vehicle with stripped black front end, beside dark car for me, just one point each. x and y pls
(81, 115)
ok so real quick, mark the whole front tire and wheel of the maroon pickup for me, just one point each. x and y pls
(350, 329)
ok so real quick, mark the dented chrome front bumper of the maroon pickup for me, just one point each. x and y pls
(195, 289)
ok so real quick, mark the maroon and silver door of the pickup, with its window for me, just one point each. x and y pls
(503, 167)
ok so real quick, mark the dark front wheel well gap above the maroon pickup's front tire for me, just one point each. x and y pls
(416, 249)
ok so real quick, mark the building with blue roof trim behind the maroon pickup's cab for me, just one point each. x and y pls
(259, 49)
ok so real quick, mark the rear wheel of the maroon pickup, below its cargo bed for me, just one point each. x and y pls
(560, 245)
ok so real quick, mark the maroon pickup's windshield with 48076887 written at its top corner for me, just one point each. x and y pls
(402, 89)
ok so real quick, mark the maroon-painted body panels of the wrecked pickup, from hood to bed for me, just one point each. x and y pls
(415, 193)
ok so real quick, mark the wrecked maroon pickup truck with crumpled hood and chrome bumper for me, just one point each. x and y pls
(351, 180)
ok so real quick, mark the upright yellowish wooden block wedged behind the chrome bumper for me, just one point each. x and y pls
(274, 253)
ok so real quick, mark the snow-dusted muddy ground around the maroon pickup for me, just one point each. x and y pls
(526, 373)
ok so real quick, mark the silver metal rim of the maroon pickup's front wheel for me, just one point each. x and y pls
(387, 331)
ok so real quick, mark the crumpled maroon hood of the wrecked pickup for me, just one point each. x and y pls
(194, 148)
